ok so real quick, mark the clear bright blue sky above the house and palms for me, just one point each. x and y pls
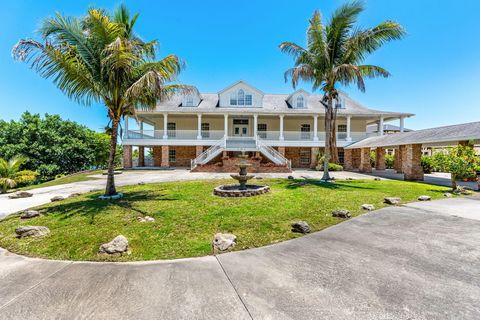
(436, 68)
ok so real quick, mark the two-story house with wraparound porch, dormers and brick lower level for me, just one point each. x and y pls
(205, 131)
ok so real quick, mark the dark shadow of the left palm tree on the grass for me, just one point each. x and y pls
(93, 206)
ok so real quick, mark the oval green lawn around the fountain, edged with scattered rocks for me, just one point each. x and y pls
(188, 215)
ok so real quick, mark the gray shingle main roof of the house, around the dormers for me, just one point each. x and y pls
(274, 104)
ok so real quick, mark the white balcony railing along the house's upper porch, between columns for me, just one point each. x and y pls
(218, 134)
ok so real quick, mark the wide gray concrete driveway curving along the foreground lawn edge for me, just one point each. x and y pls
(413, 262)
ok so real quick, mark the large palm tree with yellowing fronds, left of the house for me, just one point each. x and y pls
(99, 58)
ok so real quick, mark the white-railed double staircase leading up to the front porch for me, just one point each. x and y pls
(240, 144)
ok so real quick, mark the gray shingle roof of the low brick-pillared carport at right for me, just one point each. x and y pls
(458, 132)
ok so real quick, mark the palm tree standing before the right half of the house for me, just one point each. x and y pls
(334, 55)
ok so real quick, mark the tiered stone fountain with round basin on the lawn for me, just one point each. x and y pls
(242, 189)
